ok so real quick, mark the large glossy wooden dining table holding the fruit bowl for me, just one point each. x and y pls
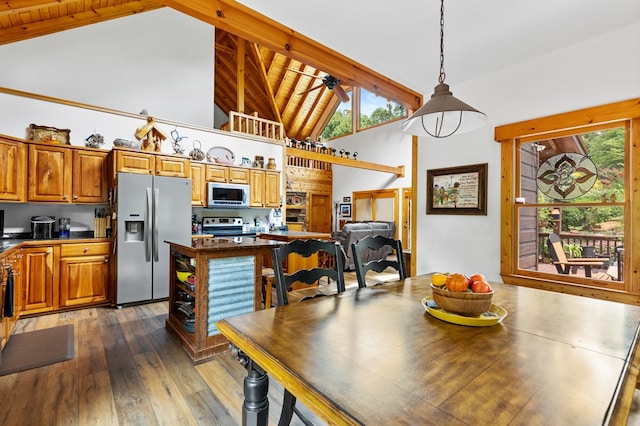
(376, 356)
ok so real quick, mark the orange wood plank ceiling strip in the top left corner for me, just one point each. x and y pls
(39, 21)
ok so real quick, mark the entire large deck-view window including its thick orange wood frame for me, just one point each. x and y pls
(569, 182)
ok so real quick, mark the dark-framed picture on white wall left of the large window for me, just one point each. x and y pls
(457, 190)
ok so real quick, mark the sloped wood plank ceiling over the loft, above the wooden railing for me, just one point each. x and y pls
(276, 87)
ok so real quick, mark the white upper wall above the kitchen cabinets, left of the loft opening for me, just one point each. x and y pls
(160, 60)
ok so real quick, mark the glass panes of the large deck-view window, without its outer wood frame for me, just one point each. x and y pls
(572, 193)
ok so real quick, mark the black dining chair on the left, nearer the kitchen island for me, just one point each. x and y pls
(309, 277)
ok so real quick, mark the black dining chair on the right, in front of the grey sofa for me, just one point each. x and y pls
(371, 254)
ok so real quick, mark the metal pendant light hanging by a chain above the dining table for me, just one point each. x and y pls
(443, 115)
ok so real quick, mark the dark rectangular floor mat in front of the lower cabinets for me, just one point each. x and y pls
(34, 349)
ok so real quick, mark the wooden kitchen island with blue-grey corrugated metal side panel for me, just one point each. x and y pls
(226, 280)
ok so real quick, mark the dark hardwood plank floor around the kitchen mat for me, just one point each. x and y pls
(127, 370)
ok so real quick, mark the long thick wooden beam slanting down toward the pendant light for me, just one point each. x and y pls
(253, 26)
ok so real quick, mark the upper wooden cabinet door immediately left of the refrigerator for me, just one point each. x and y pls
(89, 172)
